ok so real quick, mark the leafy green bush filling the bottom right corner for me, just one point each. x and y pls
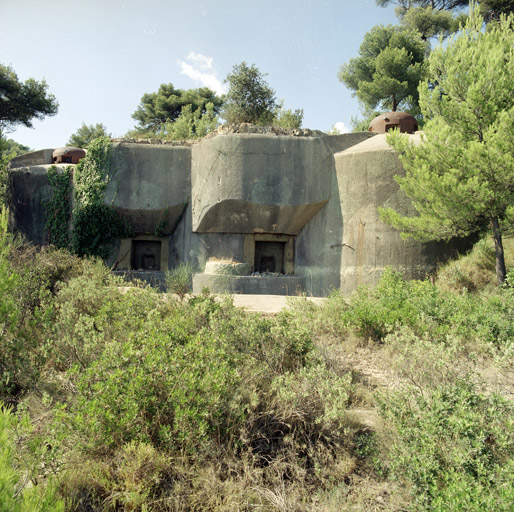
(455, 445)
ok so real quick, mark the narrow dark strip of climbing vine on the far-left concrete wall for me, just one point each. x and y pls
(58, 207)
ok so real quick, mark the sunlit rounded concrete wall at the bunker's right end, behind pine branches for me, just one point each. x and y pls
(365, 178)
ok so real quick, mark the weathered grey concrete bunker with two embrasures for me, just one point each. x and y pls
(256, 213)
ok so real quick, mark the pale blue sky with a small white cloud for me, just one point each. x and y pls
(99, 57)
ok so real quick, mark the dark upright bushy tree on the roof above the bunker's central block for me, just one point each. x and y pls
(249, 99)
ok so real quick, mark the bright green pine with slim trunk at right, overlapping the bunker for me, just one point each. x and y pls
(461, 178)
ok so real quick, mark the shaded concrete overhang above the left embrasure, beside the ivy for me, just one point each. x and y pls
(150, 186)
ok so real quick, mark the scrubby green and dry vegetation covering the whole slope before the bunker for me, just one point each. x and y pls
(117, 398)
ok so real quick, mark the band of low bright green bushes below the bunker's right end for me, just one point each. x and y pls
(479, 320)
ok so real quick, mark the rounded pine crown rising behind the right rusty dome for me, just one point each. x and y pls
(388, 70)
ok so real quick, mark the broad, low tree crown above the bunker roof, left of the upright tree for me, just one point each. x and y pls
(166, 105)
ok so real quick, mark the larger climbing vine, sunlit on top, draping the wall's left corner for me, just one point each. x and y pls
(95, 224)
